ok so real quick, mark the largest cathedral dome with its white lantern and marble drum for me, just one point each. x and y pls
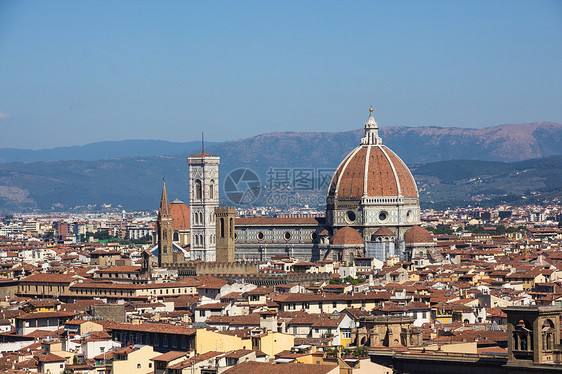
(372, 188)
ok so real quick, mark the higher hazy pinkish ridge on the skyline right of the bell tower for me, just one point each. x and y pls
(412, 144)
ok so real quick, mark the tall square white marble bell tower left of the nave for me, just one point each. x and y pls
(203, 199)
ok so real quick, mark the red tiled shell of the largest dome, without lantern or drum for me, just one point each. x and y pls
(387, 175)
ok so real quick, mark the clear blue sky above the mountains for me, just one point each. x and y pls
(75, 72)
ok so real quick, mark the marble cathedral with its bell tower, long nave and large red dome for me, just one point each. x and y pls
(371, 204)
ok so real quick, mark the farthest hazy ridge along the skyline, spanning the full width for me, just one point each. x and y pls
(413, 144)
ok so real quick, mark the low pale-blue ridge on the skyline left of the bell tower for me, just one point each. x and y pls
(99, 151)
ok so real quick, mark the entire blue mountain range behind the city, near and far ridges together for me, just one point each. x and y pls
(453, 166)
